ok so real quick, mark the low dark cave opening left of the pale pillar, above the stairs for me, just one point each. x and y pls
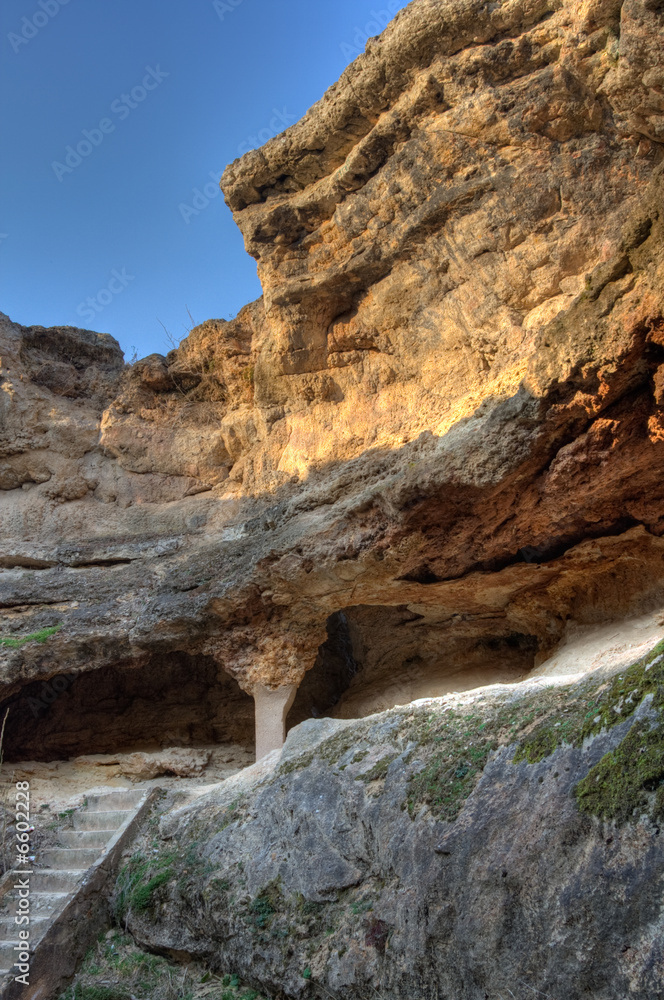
(175, 700)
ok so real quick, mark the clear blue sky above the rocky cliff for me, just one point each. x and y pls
(181, 88)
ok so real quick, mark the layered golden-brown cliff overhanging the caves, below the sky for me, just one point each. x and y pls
(445, 414)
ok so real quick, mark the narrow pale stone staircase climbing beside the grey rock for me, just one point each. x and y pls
(64, 886)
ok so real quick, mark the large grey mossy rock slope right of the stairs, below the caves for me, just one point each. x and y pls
(469, 848)
